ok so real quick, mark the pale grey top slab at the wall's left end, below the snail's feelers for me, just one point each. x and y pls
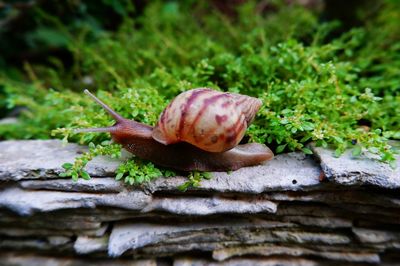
(34, 159)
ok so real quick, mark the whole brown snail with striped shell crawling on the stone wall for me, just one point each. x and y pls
(199, 130)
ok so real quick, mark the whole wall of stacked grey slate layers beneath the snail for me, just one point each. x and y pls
(293, 210)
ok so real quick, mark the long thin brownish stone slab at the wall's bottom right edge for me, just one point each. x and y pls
(287, 251)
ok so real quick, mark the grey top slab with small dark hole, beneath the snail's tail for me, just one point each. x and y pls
(293, 171)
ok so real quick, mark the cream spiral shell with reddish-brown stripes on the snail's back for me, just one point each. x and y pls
(210, 120)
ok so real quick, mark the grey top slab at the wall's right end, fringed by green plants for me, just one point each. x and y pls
(356, 171)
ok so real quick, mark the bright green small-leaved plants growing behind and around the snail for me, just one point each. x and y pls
(341, 90)
